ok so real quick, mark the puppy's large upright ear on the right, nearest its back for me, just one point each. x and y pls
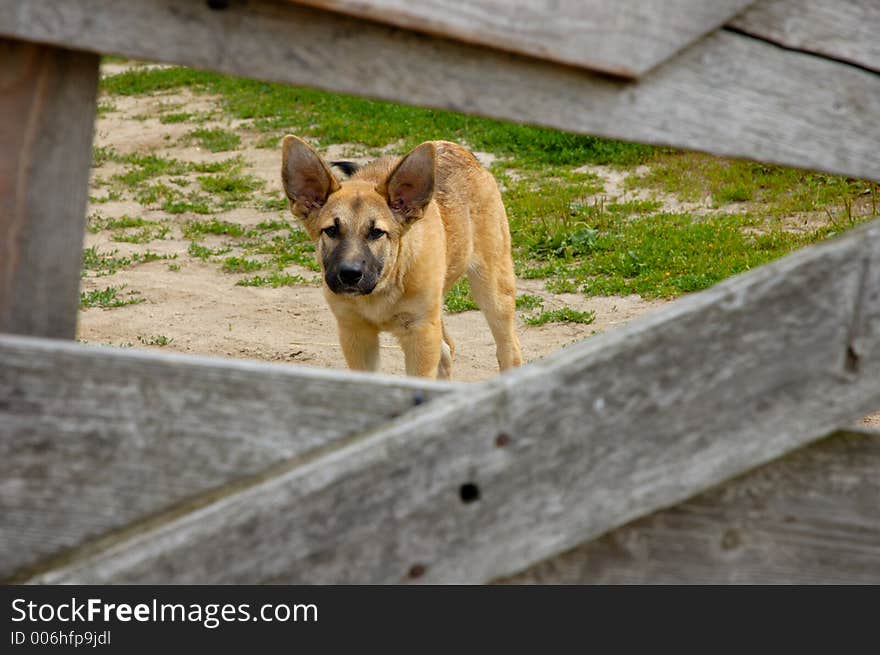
(410, 187)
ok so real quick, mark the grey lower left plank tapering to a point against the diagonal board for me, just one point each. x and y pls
(92, 438)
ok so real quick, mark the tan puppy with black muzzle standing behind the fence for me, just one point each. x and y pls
(393, 239)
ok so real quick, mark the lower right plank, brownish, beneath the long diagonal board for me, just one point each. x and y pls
(812, 517)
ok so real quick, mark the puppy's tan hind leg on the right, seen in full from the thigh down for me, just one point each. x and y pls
(494, 290)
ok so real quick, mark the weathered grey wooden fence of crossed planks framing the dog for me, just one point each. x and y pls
(688, 446)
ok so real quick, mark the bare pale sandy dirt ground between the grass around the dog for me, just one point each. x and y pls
(200, 309)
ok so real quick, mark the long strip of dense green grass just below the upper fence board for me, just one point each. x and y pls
(334, 118)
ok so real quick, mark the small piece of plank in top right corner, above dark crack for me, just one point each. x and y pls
(846, 30)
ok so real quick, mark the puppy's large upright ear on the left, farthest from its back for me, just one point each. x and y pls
(307, 179)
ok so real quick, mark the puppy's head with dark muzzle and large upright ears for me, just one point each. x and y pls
(358, 224)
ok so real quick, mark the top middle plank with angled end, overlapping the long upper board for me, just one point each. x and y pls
(625, 37)
